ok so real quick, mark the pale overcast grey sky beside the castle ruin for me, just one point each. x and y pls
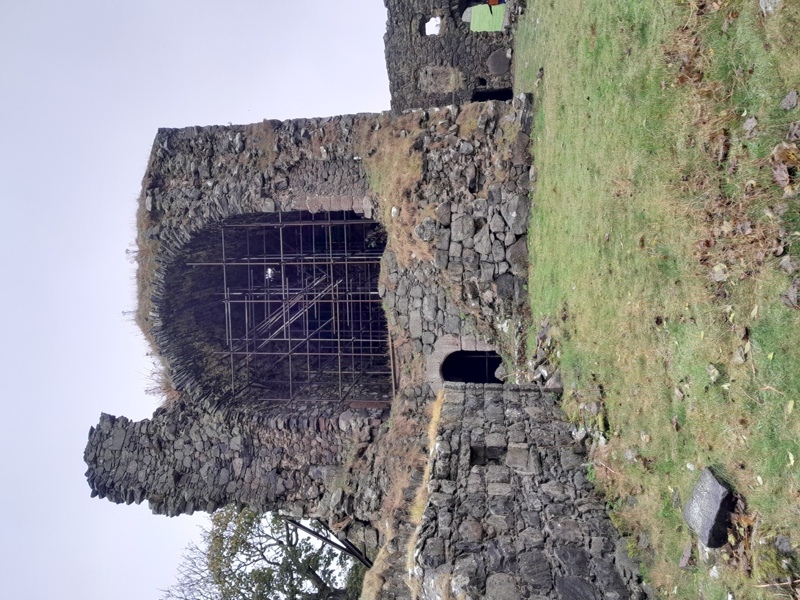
(83, 87)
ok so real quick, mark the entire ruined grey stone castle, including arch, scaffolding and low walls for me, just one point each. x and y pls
(315, 287)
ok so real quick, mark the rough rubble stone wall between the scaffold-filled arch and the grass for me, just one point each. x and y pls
(473, 207)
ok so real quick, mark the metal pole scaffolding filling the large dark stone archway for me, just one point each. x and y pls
(303, 318)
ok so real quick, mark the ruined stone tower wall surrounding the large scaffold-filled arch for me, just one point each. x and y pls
(465, 214)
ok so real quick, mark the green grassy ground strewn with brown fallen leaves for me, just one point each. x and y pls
(656, 246)
